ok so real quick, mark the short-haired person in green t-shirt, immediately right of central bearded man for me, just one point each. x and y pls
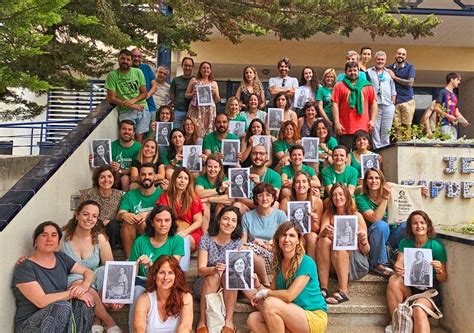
(289, 171)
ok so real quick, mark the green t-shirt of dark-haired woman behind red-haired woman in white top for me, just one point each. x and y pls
(174, 246)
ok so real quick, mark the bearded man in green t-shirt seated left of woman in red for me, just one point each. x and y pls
(136, 205)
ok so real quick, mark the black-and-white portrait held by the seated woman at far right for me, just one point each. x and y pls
(418, 269)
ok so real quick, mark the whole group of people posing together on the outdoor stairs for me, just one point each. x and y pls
(159, 212)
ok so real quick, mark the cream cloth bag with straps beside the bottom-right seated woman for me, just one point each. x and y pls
(402, 321)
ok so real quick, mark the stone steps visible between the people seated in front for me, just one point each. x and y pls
(366, 312)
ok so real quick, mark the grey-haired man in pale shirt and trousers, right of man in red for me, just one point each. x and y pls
(386, 95)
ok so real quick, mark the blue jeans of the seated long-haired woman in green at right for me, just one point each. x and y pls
(379, 235)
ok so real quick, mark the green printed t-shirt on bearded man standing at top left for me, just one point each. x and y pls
(126, 85)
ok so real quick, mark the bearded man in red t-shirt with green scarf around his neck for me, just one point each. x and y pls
(354, 106)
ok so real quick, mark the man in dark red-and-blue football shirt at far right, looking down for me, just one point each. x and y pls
(447, 106)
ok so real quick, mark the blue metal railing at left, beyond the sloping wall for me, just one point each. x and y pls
(37, 132)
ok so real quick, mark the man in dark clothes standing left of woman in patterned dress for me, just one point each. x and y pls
(177, 91)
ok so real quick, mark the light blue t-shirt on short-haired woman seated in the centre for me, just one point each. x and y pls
(262, 227)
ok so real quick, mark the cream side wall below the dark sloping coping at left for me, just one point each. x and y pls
(50, 203)
